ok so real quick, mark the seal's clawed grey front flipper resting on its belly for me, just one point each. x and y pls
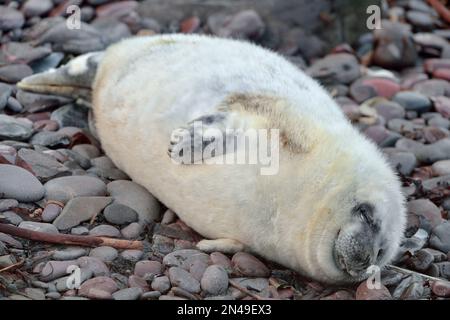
(205, 137)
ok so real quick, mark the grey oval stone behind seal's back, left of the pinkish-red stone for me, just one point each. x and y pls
(336, 68)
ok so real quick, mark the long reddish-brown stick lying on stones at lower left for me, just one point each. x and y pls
(87, 241)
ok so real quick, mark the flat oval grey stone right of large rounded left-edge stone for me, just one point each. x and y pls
(65, 188)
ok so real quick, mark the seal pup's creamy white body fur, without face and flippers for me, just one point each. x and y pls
(146, 87)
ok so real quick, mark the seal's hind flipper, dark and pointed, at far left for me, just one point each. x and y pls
(71, 80)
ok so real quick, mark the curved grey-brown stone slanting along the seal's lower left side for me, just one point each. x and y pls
(136, 197)
